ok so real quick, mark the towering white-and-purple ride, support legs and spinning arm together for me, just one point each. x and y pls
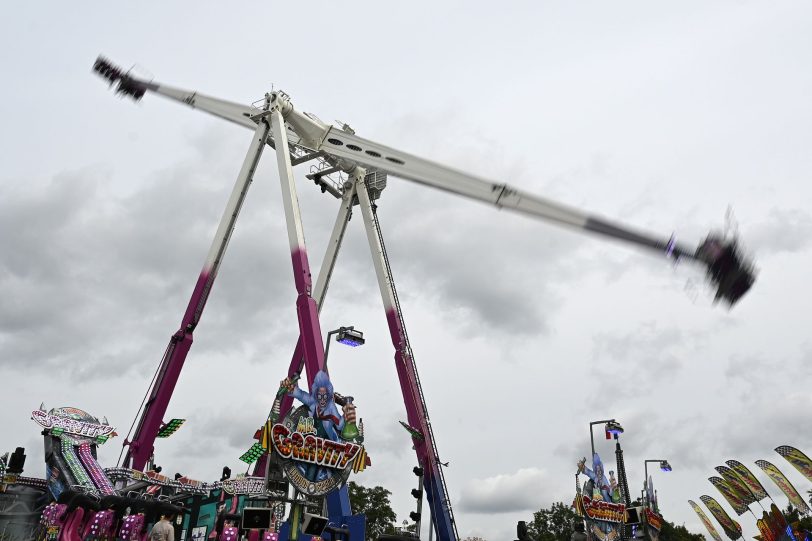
(355, 171)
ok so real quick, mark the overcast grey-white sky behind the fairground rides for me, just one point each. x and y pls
(662, 115)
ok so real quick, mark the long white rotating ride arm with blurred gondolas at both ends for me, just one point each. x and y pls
(726, 266)
